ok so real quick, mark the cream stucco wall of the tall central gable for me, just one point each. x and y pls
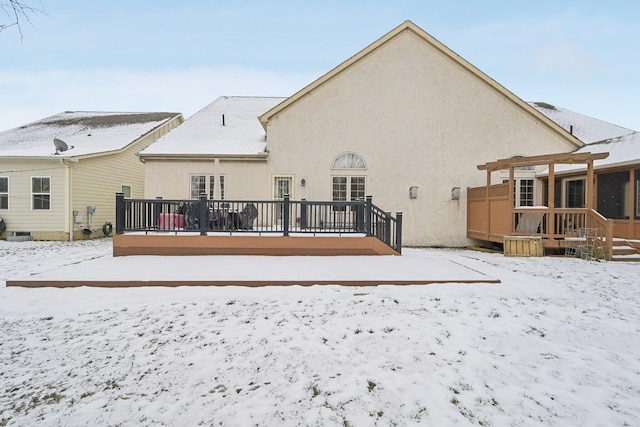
(418, 119)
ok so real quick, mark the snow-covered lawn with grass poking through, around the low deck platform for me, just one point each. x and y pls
(556, 343)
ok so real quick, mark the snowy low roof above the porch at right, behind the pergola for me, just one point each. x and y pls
(623, 151)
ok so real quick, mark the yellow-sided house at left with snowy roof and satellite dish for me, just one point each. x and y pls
(66, 190)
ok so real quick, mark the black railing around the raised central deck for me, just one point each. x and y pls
(251, 216)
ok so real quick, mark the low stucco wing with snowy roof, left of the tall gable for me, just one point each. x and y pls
(223, 140)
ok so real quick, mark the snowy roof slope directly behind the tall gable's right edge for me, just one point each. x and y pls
(585, 128)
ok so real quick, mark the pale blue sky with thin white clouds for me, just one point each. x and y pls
(179, 56)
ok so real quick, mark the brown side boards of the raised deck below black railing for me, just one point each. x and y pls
(190, 244)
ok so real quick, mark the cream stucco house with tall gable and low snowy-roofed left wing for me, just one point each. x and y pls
(406, 120)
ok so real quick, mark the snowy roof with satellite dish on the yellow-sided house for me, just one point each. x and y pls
(87, 132)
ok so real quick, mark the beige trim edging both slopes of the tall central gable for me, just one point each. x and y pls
(409, 26)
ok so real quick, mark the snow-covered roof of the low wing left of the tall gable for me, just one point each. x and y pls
(227, 126)
